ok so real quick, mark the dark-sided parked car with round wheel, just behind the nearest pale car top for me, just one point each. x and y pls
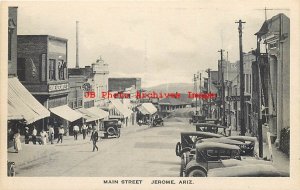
(209, 155)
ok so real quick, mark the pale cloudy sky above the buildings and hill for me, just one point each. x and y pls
(161, 42)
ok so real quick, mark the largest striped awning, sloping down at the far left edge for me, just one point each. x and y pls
(22, 105)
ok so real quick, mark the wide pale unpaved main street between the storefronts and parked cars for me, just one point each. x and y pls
(140, 151)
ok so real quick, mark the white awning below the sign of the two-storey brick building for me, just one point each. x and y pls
(66, 112)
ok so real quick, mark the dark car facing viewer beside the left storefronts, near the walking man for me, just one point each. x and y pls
(111, 128)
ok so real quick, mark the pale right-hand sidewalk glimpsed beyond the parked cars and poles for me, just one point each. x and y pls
(280, 160)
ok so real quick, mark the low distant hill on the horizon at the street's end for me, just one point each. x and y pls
(172, 87)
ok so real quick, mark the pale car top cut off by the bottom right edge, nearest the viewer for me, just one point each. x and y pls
(246, 170)
